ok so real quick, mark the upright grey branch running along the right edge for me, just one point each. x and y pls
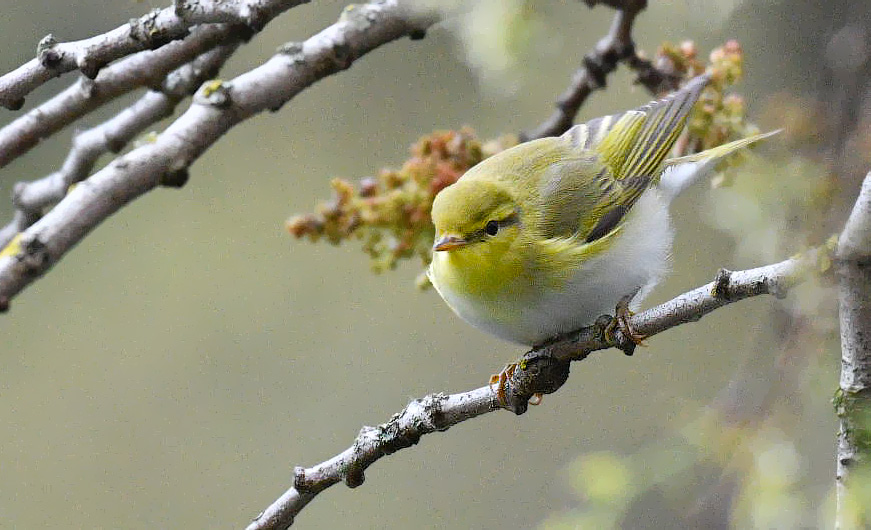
(853, 400)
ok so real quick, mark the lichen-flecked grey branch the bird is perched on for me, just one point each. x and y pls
(541, 370)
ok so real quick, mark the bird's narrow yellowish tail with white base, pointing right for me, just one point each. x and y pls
(680, 172)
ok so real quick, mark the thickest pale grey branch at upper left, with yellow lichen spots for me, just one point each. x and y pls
(217, 107)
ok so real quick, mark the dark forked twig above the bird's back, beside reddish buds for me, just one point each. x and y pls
(617, 46)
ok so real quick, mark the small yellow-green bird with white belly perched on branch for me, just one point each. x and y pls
(543, 238)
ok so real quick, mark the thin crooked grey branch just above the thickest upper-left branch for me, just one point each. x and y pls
(31, 198)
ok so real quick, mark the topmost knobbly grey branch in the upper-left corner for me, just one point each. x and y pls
(145, 33)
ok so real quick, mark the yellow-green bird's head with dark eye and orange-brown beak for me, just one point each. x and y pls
(473, 212)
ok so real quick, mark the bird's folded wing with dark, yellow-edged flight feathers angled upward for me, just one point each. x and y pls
(616, 159)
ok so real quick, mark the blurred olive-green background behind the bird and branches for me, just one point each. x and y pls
(178, 363)
